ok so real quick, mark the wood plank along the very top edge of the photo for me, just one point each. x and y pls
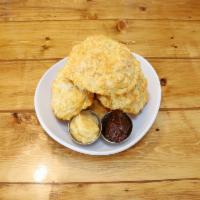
(92, 9)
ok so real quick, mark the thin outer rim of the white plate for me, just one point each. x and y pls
(92, 152)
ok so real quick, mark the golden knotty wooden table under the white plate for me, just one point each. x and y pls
(164, 165)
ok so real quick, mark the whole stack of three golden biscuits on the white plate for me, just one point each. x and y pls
(102, 69)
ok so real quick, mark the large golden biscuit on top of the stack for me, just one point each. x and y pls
(103, 66)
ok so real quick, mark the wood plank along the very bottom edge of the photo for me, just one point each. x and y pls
(175, 190)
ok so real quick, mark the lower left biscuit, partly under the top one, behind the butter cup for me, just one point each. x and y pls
(67, 99)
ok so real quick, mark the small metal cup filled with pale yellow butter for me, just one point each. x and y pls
(84, 128)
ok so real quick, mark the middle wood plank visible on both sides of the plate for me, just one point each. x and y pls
(18, 80)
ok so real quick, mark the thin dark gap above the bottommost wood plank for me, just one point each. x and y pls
(102, 182)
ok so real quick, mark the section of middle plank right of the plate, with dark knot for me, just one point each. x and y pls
(180, 80)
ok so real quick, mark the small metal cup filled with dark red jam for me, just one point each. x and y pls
(116, 126)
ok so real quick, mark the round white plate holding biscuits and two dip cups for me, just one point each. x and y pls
(58, 130)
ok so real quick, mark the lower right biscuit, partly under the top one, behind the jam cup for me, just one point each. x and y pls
(131, 102)
